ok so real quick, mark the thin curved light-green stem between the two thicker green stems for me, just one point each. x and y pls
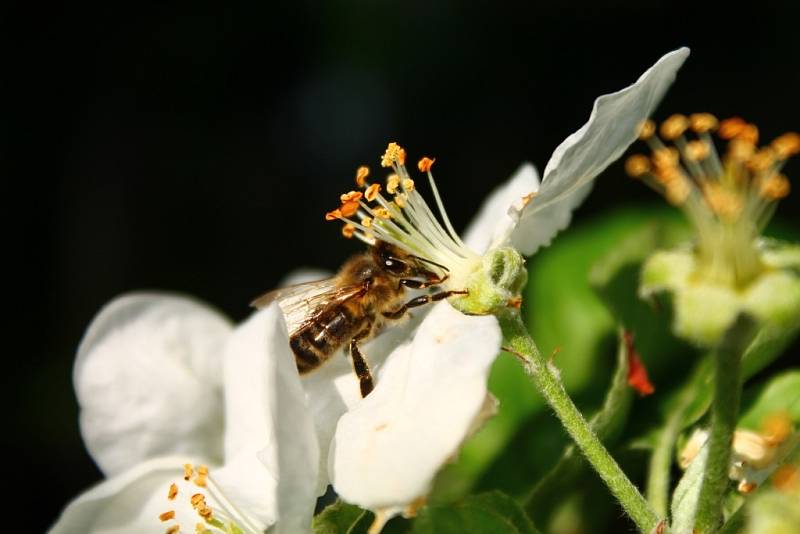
(658, 479)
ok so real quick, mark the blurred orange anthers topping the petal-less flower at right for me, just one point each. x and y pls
(691, 174)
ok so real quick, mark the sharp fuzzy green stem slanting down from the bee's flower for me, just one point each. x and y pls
(547, 381)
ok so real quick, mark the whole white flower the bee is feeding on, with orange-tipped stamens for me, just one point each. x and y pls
(431, 392)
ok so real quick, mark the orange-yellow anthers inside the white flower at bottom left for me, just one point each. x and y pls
(198, 477)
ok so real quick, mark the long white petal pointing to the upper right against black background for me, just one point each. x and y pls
(612, 127)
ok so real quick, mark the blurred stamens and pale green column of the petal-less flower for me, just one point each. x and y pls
(728, 199)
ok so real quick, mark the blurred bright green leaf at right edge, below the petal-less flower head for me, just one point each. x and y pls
(781, 393)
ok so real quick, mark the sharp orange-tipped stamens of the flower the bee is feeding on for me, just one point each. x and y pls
(403, 218)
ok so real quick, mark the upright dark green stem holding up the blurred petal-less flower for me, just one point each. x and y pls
(727, 360)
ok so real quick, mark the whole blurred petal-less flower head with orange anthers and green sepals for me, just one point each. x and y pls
(729, 269)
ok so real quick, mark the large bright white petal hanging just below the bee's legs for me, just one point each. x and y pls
(388, 448)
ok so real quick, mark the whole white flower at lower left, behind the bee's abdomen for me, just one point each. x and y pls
(150, 376)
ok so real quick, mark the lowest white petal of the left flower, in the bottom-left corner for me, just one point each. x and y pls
(129, 502)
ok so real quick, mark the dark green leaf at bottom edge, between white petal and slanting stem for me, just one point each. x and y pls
(477, 514)
